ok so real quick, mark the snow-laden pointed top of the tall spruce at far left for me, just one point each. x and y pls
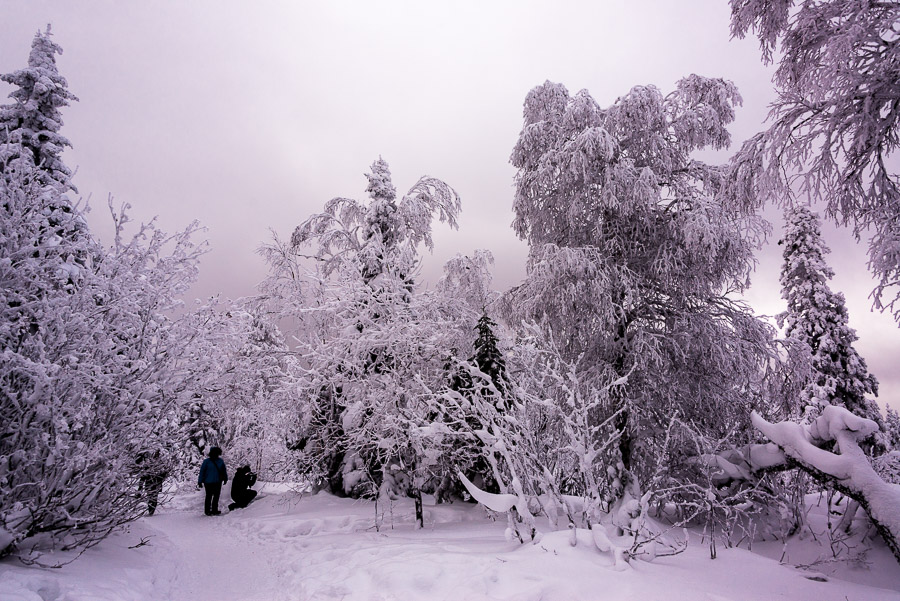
(33, 120)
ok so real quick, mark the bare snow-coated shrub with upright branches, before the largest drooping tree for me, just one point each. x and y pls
(551, 439)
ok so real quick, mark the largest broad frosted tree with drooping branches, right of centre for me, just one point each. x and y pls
(633, 261)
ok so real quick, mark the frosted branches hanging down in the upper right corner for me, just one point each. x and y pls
(836, 120)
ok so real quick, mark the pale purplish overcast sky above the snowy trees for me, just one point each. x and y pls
(248, 116)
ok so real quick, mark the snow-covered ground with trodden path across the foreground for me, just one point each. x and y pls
(285, 547)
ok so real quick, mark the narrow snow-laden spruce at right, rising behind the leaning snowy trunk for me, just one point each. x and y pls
(818, 317)
